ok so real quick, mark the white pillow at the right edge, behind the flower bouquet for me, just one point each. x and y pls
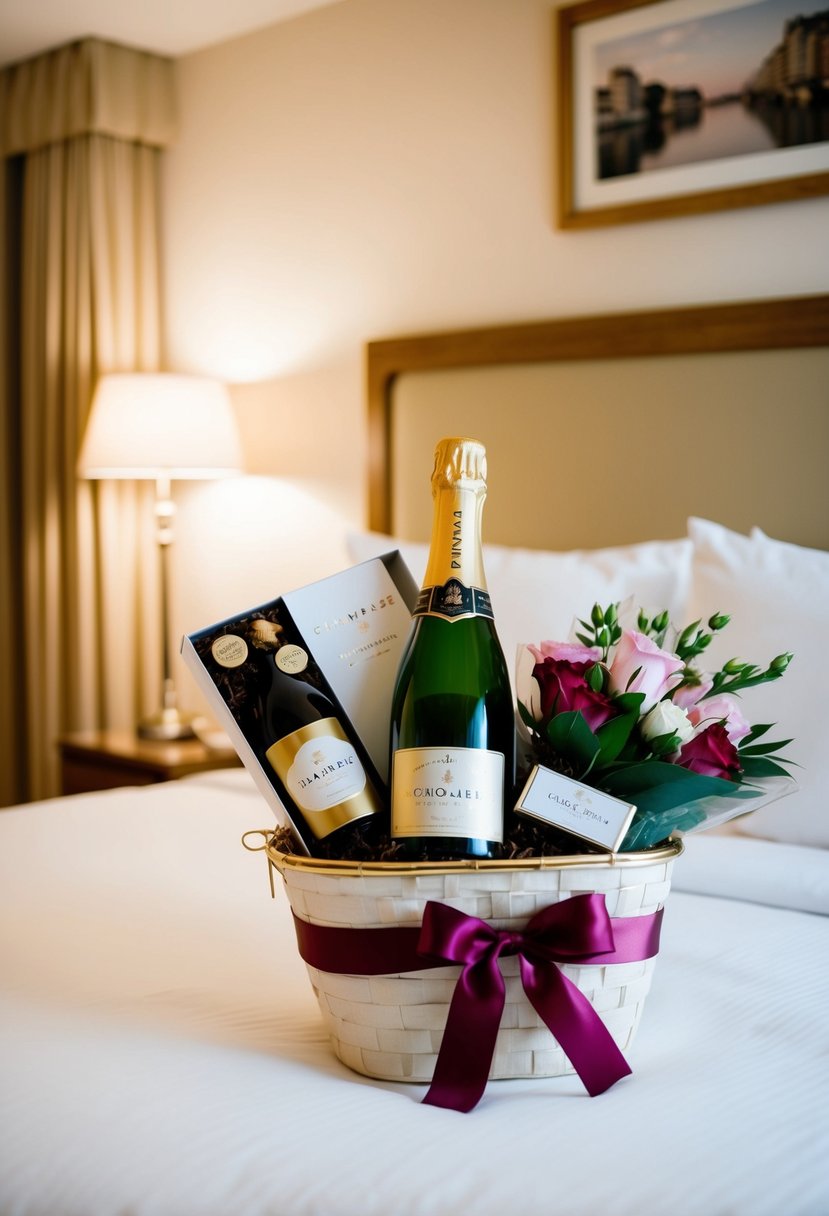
(779, 599)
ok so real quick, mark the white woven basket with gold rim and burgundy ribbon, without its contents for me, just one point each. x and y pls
(458, 973)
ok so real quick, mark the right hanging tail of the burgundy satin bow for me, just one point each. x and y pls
(569, 1016)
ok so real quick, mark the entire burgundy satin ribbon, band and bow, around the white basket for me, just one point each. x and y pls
(577, 931)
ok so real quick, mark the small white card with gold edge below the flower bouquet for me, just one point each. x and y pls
(578, 809)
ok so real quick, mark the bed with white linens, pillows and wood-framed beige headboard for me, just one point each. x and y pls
(162, 1051)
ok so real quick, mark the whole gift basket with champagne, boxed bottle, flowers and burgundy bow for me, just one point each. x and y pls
(489, 907)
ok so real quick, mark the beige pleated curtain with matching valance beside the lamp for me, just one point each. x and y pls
(81, 133)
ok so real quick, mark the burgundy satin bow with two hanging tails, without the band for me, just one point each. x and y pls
(578, 930)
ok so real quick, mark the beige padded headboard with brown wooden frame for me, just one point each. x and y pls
(613, 430)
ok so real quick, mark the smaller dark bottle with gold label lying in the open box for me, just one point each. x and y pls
(304, 744)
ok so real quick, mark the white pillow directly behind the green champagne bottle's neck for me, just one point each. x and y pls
(538, 595)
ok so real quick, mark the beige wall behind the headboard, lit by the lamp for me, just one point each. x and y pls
(373, 168)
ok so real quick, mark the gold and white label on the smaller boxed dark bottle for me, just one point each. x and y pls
(324, 775)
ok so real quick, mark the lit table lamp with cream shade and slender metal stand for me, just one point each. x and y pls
(162, 427)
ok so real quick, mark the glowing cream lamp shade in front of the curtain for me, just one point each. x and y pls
(150, 425)
